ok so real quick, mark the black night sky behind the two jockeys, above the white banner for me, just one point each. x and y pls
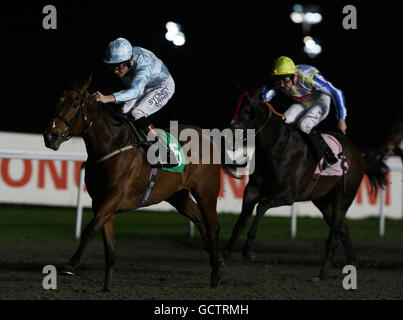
(224, 44)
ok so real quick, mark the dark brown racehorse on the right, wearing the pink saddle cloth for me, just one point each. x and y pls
(284, 174)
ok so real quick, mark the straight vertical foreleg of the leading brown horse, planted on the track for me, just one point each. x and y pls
(108, 235)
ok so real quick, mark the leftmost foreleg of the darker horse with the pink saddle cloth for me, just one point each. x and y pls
(250, 199)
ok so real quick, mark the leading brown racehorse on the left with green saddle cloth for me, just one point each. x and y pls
(118, 183)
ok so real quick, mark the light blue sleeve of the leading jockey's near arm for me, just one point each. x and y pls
(143, 71)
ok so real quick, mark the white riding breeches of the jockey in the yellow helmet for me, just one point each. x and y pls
(306, 117)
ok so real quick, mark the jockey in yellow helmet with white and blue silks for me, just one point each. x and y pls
(312, 94)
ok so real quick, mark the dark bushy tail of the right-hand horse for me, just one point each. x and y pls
(376, 170)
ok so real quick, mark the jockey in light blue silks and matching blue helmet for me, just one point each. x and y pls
(150, 83)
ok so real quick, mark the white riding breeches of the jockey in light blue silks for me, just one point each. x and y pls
(152, 100)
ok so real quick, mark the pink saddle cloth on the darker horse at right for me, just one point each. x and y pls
(335, 169)
